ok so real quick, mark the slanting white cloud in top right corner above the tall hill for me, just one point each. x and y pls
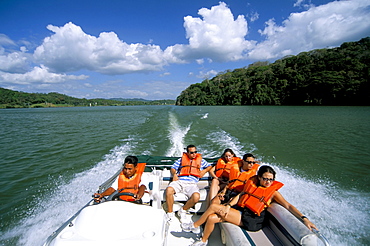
(327, 25)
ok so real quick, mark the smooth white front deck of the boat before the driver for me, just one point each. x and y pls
(115, 222)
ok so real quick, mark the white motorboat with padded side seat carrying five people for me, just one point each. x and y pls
(116, 222)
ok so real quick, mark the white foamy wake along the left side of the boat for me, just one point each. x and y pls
(65, 200)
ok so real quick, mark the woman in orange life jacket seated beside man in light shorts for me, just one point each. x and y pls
(221, 172)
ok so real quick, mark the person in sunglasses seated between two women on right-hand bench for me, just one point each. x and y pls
(238, 177)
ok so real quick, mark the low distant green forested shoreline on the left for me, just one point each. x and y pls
(15, 99)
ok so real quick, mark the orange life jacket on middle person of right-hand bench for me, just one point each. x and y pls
(238, 179)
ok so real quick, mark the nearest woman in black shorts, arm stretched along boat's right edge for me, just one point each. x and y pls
(248, 208)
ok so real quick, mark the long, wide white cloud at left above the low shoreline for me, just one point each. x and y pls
(70, 49)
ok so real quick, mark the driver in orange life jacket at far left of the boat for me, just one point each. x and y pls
(130, 180)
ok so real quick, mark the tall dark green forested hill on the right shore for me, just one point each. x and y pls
(337, 76)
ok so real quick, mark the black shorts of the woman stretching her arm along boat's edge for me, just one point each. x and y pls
(250, 220)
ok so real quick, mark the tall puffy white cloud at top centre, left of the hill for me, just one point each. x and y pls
(217, 36)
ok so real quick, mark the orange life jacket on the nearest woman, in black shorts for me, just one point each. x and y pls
(257, 198)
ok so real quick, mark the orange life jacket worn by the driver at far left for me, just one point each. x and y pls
(130, 185)
